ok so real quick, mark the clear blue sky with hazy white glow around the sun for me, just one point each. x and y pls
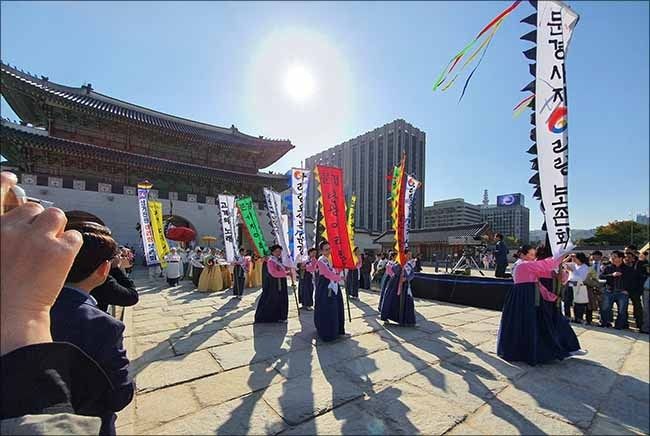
(372, 62)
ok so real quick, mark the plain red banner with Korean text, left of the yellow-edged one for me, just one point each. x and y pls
(332, 204)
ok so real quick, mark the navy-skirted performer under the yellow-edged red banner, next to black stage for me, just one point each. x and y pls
(398, 305)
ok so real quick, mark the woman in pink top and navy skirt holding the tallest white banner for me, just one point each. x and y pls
(532, 328)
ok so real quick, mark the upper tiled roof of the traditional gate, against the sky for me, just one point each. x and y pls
(85, 98)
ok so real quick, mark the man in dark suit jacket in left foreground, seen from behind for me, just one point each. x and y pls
(75, 318)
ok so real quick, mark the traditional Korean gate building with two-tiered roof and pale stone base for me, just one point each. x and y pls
(86, 151)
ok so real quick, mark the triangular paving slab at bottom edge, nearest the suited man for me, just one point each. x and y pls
(248, 415)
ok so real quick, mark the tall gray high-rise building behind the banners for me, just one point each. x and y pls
(367, 160)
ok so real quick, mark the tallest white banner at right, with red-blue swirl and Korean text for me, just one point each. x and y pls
(555, 24)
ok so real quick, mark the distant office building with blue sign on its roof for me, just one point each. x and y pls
(509, 216)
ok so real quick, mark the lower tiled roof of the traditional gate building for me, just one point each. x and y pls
(35, 138)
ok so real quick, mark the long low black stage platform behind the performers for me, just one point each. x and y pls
(483, 292)
